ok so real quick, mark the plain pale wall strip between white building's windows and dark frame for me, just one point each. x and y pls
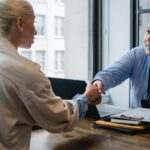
(76, 39)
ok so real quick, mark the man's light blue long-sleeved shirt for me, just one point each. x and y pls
(133, 65)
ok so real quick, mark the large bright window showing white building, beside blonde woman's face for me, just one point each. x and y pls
(64, 25)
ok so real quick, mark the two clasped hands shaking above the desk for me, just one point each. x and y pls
(94, 92)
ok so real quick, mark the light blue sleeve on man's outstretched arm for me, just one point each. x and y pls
(118, 72)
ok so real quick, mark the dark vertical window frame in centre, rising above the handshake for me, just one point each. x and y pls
(95, 37)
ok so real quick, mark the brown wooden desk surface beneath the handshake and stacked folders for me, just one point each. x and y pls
(84, 137)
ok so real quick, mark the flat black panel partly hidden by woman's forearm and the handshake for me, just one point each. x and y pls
(68, 88)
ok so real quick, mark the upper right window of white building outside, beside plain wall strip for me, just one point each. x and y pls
(59, 27)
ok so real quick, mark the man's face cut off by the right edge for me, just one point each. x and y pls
(147, 40)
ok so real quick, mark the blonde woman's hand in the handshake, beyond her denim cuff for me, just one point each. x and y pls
(92, 94)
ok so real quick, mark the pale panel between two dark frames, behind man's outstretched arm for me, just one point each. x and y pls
(116, 42)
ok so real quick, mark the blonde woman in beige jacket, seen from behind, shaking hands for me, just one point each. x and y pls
(26, 96)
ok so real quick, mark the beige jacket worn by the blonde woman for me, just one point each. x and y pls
(27, 99)
